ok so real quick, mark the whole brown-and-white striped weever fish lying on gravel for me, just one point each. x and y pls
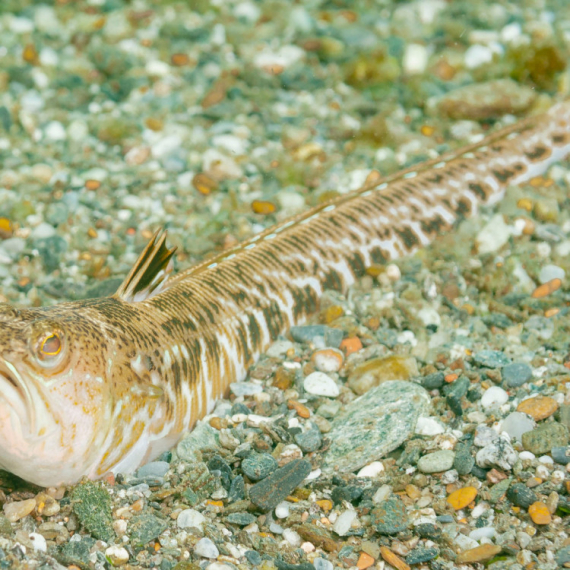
(103, 385)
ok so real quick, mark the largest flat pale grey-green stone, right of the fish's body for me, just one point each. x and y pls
(375, 424)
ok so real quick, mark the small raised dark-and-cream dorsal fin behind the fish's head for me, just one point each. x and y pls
(149, 274)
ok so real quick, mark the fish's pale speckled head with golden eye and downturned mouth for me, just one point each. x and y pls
(56, 399)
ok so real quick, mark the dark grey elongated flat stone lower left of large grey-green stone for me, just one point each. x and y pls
(267, 494)
